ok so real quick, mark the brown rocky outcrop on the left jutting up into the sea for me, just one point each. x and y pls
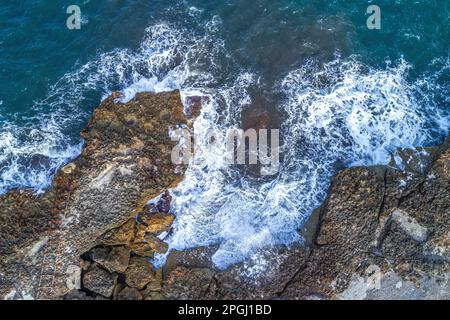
(125, 162)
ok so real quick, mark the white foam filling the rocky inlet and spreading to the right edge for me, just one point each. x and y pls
(338, 114)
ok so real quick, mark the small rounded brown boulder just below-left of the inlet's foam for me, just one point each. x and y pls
(139, 273)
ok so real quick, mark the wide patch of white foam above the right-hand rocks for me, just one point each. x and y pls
(347, 112)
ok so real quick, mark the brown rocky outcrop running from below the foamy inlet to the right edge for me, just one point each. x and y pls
(381, 234)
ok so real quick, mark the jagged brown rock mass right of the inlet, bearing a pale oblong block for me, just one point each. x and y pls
(379, 241)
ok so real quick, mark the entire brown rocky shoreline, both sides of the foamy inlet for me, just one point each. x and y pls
(381, 234)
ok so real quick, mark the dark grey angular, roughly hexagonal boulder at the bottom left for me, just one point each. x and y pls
(99, 281)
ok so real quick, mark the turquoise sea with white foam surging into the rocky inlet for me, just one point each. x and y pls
(340, 93)
